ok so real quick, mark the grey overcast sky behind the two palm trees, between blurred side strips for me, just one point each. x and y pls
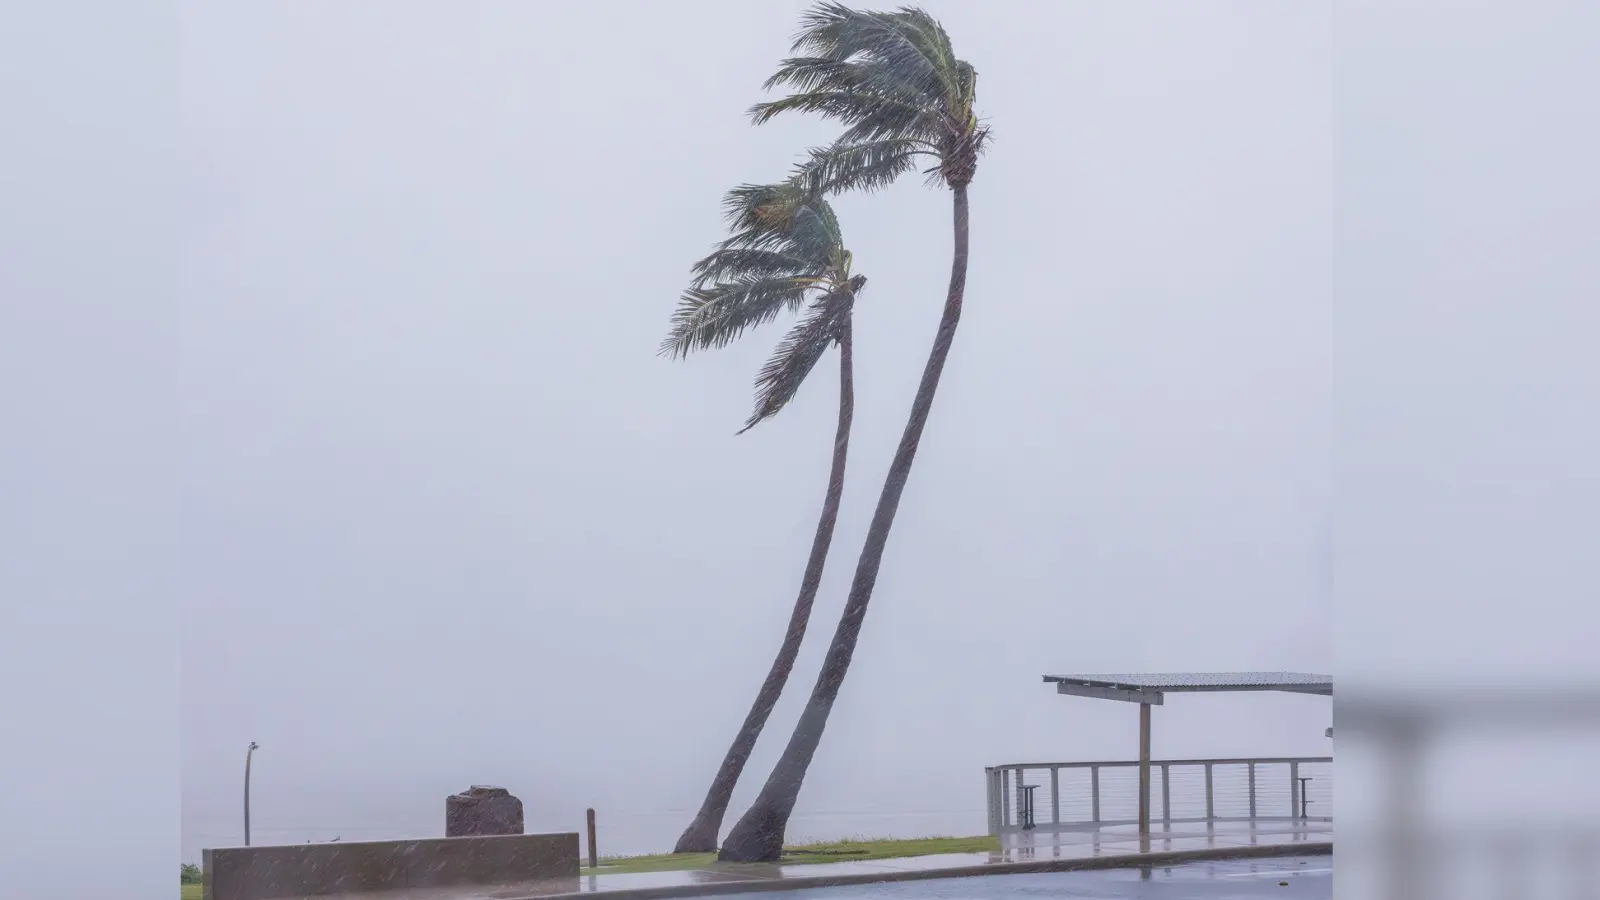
(447, 518)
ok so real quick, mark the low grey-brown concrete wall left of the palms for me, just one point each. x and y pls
(308, 870)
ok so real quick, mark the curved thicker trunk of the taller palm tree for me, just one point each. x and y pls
(759, 835)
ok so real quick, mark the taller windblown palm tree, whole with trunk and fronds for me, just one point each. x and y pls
(895, 84)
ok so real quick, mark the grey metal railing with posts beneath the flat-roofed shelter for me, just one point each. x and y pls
(1094, 795)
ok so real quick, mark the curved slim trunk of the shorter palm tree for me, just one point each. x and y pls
(702, 835)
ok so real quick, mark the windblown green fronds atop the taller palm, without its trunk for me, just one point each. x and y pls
(895, 84)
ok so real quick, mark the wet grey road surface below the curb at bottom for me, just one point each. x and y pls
(1289, 878)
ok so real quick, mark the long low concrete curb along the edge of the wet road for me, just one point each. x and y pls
(1038, 867)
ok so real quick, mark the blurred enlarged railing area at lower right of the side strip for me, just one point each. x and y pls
(1457, 774)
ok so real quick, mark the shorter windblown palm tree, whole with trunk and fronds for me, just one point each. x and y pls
(786, 254)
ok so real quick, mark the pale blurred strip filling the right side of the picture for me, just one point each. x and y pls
(1466, 435)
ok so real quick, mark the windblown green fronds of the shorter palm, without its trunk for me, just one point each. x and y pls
(786, 254)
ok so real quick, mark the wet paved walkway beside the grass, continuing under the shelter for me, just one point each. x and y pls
(1039, 851)
